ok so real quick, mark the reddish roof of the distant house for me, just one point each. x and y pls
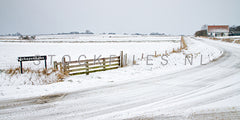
(218, 28)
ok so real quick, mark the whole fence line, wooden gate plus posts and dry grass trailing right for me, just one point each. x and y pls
(92, 65)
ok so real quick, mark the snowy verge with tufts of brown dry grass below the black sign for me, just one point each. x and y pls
(13, 76)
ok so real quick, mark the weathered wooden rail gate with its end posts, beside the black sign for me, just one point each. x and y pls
(89, 65)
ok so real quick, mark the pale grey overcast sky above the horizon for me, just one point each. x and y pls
(120, 16)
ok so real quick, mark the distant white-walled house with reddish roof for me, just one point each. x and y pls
(217, 30)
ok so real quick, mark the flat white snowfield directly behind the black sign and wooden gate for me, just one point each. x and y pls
(10, 51)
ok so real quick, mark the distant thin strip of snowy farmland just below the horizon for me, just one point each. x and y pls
(93, 38)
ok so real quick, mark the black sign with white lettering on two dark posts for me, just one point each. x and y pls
(32, 58)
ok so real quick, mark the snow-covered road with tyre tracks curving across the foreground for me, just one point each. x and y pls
(204, 92)
